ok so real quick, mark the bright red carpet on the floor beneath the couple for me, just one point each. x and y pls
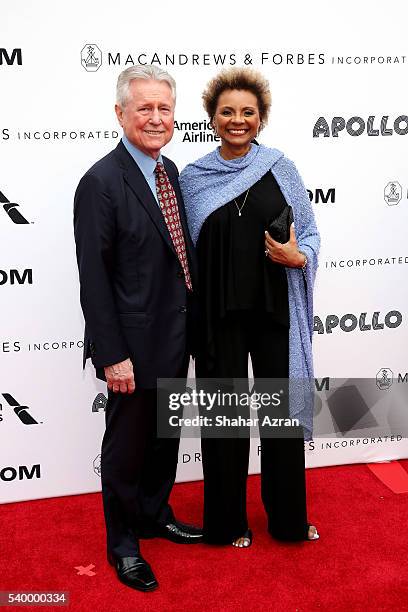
(359, 563)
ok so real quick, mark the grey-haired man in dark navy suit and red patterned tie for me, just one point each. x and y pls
(137, 270)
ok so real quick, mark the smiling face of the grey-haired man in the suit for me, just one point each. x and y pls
(147, 118)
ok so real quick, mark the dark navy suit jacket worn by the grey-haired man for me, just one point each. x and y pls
(133, 293)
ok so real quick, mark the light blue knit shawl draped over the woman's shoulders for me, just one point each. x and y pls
(209, 183)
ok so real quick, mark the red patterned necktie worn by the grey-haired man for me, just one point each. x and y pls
(169, 207)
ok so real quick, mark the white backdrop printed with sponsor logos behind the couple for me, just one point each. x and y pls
(338, 75)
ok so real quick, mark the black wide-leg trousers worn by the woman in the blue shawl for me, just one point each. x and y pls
(225, 460)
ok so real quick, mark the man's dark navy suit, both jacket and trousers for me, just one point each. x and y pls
(135, 304)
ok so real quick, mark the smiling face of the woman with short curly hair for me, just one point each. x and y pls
(236, 118)
